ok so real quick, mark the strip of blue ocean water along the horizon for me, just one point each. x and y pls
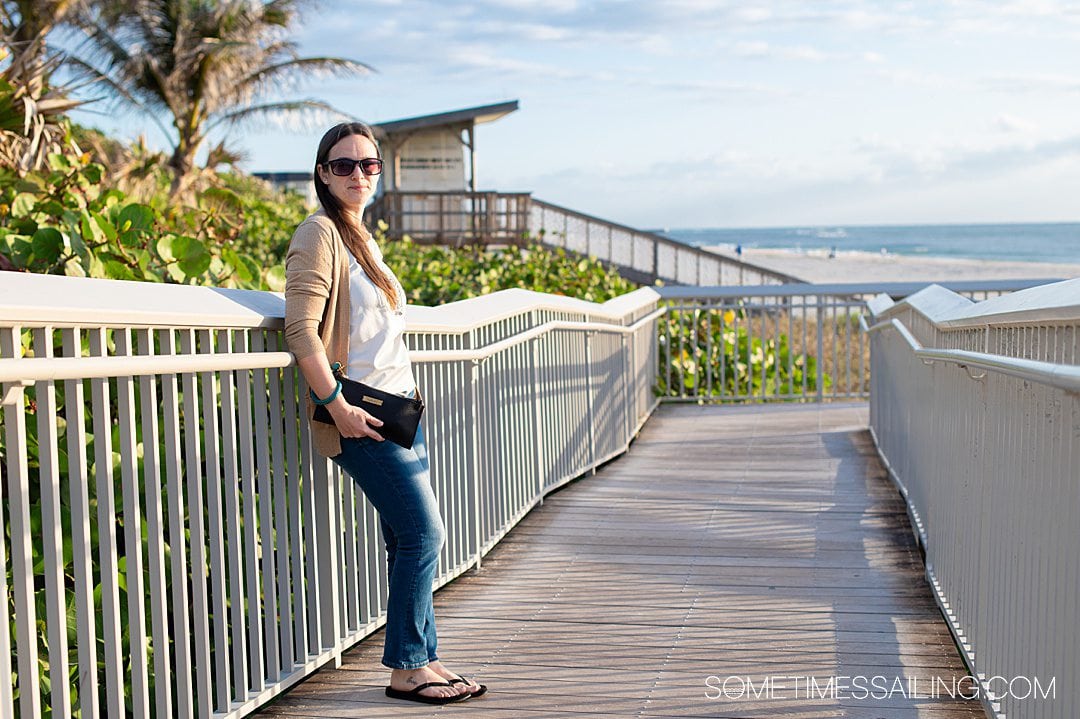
(1058, 242)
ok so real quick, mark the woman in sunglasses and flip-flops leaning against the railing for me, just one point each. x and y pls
(344, 305)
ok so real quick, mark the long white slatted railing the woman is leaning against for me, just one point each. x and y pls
(171, 546)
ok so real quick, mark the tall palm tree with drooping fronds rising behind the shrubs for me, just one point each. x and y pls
(206, 64)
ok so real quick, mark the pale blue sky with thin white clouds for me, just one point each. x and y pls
(725, 114)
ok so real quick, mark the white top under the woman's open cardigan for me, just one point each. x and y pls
(377, 352)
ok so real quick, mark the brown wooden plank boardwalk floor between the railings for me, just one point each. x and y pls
(732, 544)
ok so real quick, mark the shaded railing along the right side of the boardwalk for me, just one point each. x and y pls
(976, 411)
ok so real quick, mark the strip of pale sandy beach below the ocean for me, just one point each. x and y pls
(818, 267)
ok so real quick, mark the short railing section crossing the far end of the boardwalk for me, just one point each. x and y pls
(776, 343)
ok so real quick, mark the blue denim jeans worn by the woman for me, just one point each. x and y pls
(396, 481)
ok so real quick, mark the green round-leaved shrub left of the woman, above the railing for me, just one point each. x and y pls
(69, 221)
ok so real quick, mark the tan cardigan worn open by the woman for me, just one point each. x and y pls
(318, 307)
